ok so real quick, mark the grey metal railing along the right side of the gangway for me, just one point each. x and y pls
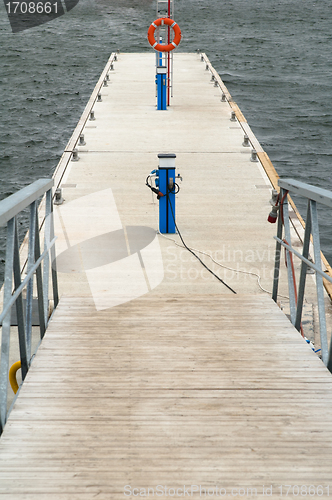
(314, 195)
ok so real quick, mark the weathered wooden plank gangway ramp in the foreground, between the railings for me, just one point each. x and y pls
(171, 392)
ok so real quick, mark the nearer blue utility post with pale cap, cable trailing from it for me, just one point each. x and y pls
(167, 187)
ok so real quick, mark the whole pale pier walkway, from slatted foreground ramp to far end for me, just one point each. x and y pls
(152, 373)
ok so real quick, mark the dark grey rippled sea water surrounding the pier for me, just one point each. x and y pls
(274, 56)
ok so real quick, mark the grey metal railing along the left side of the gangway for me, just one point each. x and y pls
(37, 263)
